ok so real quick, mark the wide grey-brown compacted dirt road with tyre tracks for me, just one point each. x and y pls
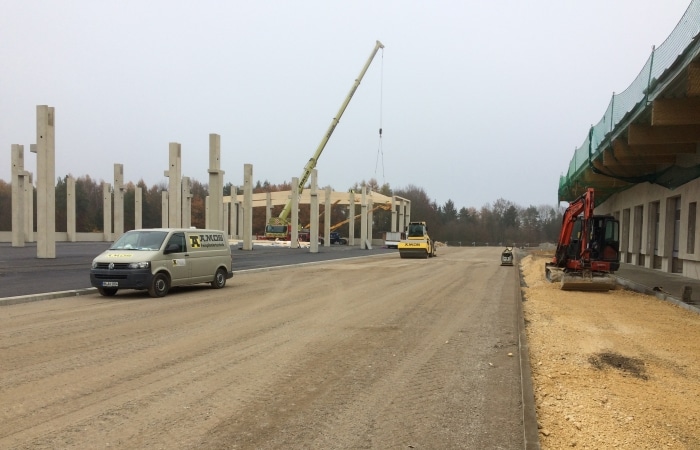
(370, 353)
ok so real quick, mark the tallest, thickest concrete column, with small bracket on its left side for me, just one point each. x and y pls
(45, 182)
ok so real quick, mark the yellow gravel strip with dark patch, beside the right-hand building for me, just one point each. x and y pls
(611, 370)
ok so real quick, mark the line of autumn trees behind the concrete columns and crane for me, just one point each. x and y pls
(500, 223)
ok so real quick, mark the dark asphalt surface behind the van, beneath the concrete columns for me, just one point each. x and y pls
(22, 273)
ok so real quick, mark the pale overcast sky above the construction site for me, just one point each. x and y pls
(477, 100)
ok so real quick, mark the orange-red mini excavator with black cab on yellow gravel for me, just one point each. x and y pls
(588, 248)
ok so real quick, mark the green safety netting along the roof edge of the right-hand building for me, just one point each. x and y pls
(682, 41)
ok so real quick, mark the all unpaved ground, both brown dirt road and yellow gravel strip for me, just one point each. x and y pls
(372, 352)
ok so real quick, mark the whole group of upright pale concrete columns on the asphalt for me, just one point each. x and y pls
(176, 201)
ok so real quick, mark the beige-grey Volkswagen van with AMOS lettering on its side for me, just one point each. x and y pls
(157, 259)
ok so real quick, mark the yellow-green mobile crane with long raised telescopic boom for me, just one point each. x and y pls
(279, 227)
